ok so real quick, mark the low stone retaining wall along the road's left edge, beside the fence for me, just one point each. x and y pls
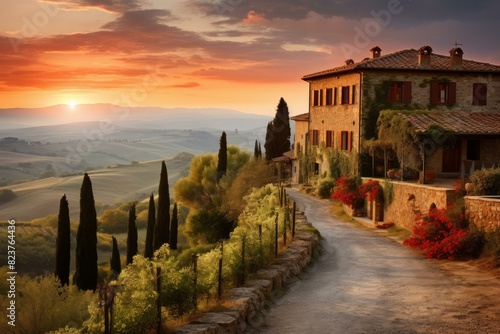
(250, 300)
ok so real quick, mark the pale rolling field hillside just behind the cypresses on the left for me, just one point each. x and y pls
(117, 184)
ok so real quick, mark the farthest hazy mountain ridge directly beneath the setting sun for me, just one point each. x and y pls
(138, 117)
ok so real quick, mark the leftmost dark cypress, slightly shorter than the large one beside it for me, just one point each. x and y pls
(63, 243)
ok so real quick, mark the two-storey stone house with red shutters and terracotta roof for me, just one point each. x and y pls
(345, 102)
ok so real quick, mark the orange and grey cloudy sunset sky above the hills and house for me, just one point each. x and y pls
(237, 54)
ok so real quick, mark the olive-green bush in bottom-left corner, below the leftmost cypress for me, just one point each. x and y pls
(43, 304)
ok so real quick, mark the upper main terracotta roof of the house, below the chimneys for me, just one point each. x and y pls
(408, 60)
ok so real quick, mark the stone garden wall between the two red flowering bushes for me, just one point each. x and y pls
(410, 199)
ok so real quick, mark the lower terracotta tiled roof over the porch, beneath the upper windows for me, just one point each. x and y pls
(459, 122)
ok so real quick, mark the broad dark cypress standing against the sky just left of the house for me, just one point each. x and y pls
(278, 132)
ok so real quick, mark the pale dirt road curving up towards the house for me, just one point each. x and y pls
(368, 283)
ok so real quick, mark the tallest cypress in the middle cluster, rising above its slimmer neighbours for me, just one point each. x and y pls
(162, 228)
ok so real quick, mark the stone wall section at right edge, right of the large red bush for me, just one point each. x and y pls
(483, 212)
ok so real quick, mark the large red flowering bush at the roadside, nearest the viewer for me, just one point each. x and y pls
(439, 237)
